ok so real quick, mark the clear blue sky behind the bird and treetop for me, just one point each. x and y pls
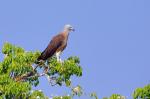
(111, 39)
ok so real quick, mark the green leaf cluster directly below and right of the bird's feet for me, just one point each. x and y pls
(63, 71)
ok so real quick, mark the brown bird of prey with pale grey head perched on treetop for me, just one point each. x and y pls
(57, 45)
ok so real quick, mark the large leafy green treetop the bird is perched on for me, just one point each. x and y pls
(18, 73)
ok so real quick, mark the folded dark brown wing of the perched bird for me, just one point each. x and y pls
(52, 47)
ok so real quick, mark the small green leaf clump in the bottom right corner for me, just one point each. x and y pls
(142, 93)
